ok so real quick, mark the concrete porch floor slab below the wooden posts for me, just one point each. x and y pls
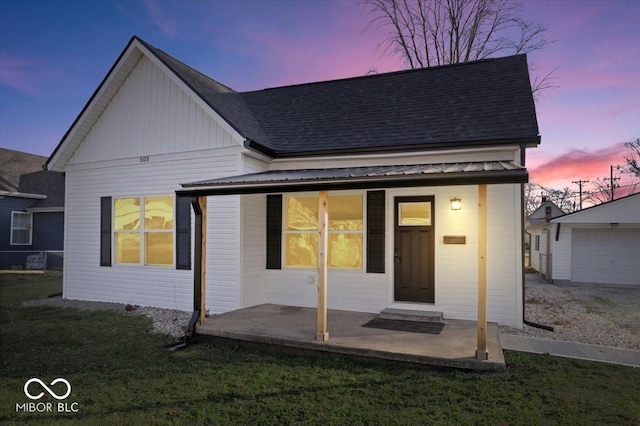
(294, 328)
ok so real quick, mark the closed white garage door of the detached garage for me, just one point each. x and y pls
(606, 256)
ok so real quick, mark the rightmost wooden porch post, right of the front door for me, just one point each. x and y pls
(481, 351)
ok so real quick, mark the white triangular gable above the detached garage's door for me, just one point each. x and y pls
(622, 210)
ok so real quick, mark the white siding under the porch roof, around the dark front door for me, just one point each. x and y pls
(456, 270)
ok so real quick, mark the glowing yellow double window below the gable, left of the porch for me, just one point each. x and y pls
(143, 230)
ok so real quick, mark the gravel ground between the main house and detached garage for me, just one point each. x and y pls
(586, 313)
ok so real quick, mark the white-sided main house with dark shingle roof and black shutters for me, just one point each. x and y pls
(424, 171)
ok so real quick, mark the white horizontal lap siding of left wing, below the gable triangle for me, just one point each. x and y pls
(164, 287)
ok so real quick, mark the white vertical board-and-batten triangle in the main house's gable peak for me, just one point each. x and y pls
(150, 115)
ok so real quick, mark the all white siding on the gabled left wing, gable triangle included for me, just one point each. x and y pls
(151, 137)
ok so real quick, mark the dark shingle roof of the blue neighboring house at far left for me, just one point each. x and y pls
(22, 172)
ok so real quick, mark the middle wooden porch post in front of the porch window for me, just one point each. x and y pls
(323, 243)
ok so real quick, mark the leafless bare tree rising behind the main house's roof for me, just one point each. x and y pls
(426, 33)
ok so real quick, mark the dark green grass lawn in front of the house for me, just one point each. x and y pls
(120, 374)
